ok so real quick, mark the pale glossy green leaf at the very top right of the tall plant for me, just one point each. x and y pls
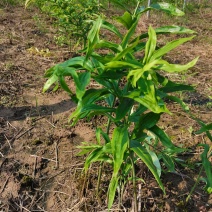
(168, 8)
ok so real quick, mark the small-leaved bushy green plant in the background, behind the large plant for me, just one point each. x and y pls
(69, 17)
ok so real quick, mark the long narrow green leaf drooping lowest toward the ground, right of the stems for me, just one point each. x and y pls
(143, 154)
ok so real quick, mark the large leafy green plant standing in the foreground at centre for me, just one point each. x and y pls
(132, 94)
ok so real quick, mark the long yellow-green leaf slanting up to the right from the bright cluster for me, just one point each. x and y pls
(168, 47)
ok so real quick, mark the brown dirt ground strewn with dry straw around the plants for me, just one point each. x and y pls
(39, 169)
